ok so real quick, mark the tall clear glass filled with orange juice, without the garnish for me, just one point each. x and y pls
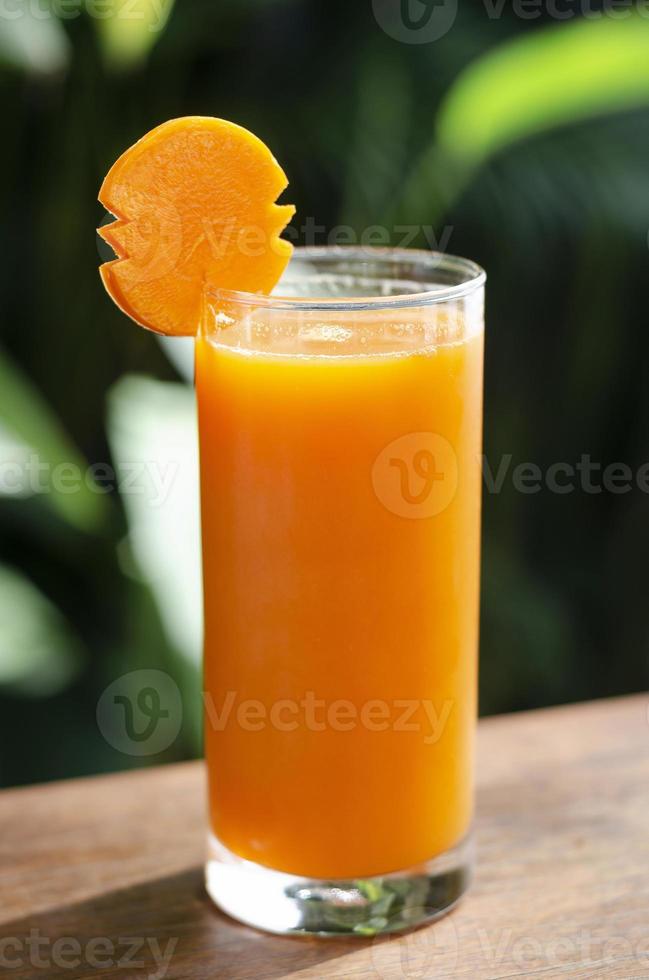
(340, 437)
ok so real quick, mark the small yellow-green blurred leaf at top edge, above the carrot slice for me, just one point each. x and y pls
(131, 30)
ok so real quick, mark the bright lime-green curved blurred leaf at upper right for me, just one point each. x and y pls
(553, 76)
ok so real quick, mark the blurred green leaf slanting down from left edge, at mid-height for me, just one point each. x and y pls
(33, 440)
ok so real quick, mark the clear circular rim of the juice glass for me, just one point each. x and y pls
(474, 279)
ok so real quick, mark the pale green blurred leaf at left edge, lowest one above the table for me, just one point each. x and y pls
(39, 655)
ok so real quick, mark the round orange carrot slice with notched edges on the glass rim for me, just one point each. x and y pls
(194, 202)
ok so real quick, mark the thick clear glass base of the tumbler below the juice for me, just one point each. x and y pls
(284, 903)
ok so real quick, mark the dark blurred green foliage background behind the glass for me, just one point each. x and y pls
(523, 141)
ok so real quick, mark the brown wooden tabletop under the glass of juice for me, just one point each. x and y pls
(110, 868)
